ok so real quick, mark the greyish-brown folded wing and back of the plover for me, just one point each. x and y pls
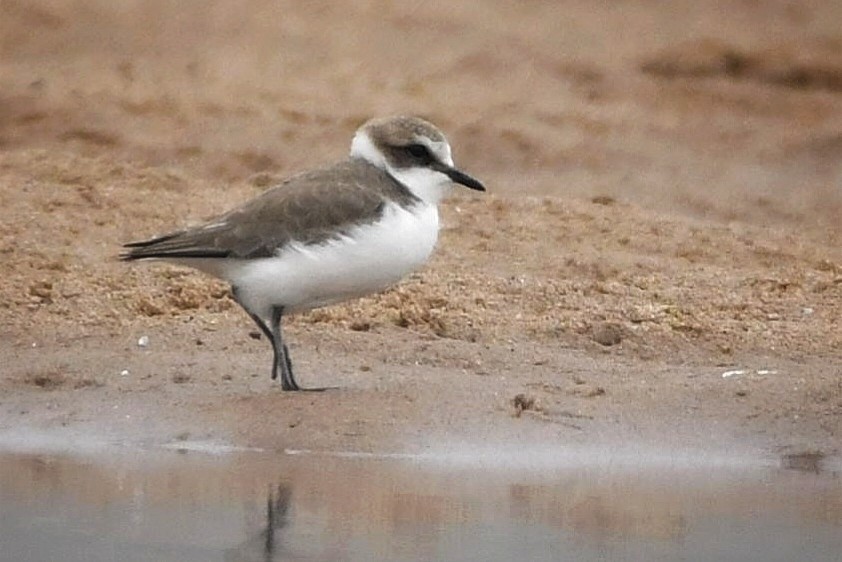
(309, 208)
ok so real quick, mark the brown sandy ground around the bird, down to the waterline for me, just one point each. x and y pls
(665, 193)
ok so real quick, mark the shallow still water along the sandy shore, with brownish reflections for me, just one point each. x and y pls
(116, 504)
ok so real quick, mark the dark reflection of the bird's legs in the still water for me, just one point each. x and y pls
(266, 546)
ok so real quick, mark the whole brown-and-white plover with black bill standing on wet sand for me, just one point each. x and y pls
(325, 235)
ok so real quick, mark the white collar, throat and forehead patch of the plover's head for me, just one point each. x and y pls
(428, 185)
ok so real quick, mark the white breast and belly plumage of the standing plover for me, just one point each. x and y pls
(368, 259)
